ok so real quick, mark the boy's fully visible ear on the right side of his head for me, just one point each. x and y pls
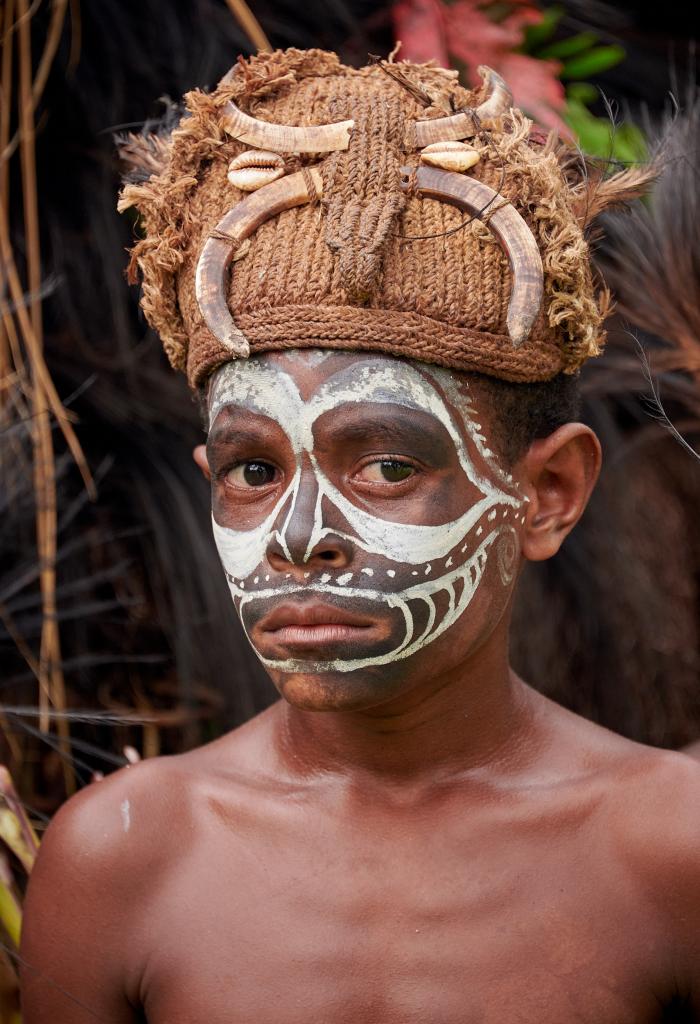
(559, 474)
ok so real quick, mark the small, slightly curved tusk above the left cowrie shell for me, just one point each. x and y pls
(285, 139)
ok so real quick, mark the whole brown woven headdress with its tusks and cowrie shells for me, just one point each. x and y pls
(308, 204)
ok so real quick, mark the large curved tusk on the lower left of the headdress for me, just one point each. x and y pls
(240, 224)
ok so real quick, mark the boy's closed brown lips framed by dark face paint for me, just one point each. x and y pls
(313, 626)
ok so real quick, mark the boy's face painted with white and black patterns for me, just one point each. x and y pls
(369, 534)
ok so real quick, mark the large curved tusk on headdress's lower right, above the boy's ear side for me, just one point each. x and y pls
(511, 231)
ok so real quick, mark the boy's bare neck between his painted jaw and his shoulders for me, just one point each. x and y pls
(476, 715)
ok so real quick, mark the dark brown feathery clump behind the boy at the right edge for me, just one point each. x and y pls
(622, 643)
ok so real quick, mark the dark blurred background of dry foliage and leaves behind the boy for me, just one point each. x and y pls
(117, 634)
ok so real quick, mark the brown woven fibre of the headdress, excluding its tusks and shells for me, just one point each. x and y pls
(369, 267)
